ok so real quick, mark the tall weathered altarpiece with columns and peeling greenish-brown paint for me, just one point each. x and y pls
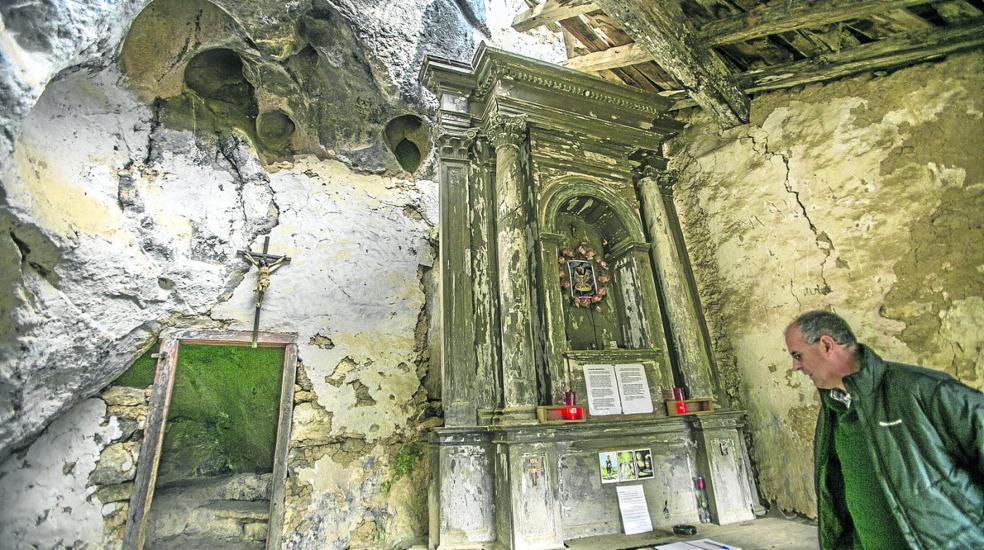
(536, 160)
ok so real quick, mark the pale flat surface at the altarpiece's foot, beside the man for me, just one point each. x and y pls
(763, 533)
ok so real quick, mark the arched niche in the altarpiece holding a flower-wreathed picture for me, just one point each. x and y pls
(585, 225)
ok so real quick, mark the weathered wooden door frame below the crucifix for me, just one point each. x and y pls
(160, 399)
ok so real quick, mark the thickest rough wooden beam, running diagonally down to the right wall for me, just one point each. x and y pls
(662, 30)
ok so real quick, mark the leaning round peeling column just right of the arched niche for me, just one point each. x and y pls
(670, 263)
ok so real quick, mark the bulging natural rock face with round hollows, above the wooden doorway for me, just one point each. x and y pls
(112, 270)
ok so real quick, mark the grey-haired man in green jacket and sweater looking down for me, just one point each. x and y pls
(899, 449)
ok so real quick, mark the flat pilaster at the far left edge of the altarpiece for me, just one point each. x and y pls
(458, 391)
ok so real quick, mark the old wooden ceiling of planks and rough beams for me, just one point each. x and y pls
(717, 53)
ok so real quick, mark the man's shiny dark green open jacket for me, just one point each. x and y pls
(927, 446)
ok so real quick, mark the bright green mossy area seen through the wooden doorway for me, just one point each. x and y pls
(223, 413)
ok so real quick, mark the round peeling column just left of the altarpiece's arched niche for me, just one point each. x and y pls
(513, 214)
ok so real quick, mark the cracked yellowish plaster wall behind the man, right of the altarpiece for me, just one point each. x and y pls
(863, 195)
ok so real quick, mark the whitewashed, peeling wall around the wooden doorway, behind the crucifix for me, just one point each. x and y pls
(149, 239)
